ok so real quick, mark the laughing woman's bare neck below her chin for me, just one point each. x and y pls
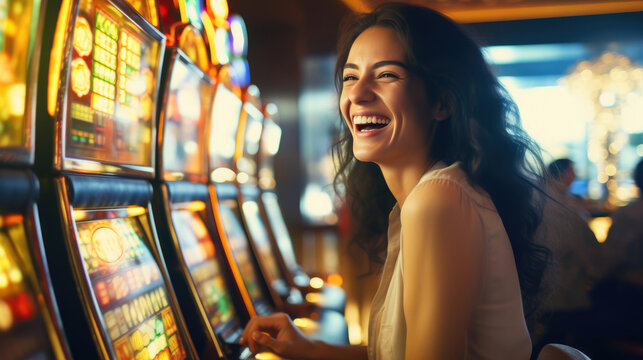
(401, 179)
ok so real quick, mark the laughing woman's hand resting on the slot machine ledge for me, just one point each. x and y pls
(277, 333)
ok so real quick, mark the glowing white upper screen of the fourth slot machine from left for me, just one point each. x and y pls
(226, 110)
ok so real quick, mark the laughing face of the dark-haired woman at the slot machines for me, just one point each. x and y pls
(383, 104)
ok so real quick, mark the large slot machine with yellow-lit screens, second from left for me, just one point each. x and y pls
(115, 296)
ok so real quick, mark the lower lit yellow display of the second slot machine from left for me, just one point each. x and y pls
(132, 298)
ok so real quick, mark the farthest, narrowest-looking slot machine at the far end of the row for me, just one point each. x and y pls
(328, 296)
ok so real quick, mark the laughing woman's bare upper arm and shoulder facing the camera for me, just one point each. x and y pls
(443, 254)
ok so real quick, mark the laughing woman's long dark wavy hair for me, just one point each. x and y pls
(483, 134)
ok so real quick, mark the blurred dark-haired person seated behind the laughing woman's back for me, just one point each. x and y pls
(577, 264)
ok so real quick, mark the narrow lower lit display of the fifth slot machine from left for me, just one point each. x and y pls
(259, 234)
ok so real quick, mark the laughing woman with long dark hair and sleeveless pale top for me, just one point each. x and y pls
(434, 141)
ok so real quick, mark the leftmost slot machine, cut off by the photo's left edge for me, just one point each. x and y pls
(30, 325)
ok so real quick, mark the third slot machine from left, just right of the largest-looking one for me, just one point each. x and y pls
(211, 302)
